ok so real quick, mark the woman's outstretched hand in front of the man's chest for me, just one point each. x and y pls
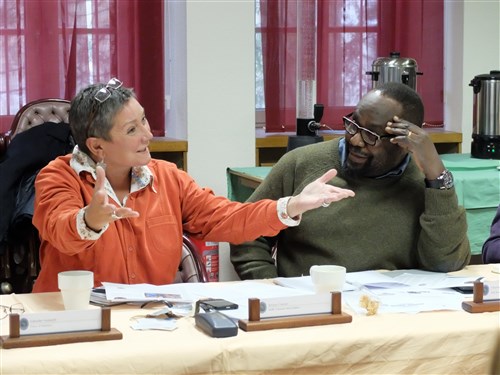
(317, 194)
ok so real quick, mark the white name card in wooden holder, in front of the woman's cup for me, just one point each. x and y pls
(60, 321)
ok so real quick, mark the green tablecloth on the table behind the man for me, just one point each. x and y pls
(477, 182)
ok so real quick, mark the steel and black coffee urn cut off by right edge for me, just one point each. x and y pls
(486, 116)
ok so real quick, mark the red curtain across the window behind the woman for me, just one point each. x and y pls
(53, 48)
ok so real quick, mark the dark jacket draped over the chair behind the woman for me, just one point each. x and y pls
(28, 152)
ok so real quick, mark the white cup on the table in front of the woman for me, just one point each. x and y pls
(75, 288)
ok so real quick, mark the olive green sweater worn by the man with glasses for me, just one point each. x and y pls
(391, 223)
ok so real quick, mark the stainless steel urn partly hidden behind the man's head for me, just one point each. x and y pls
(394, 69)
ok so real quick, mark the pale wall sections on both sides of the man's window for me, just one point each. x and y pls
(212, 76)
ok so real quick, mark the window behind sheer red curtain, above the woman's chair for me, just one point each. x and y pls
(46, 38)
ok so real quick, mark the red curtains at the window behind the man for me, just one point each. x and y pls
(351, 34)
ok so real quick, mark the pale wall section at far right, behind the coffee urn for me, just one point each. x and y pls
(472, 47)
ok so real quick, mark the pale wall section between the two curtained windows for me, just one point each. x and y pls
(220, 97)
